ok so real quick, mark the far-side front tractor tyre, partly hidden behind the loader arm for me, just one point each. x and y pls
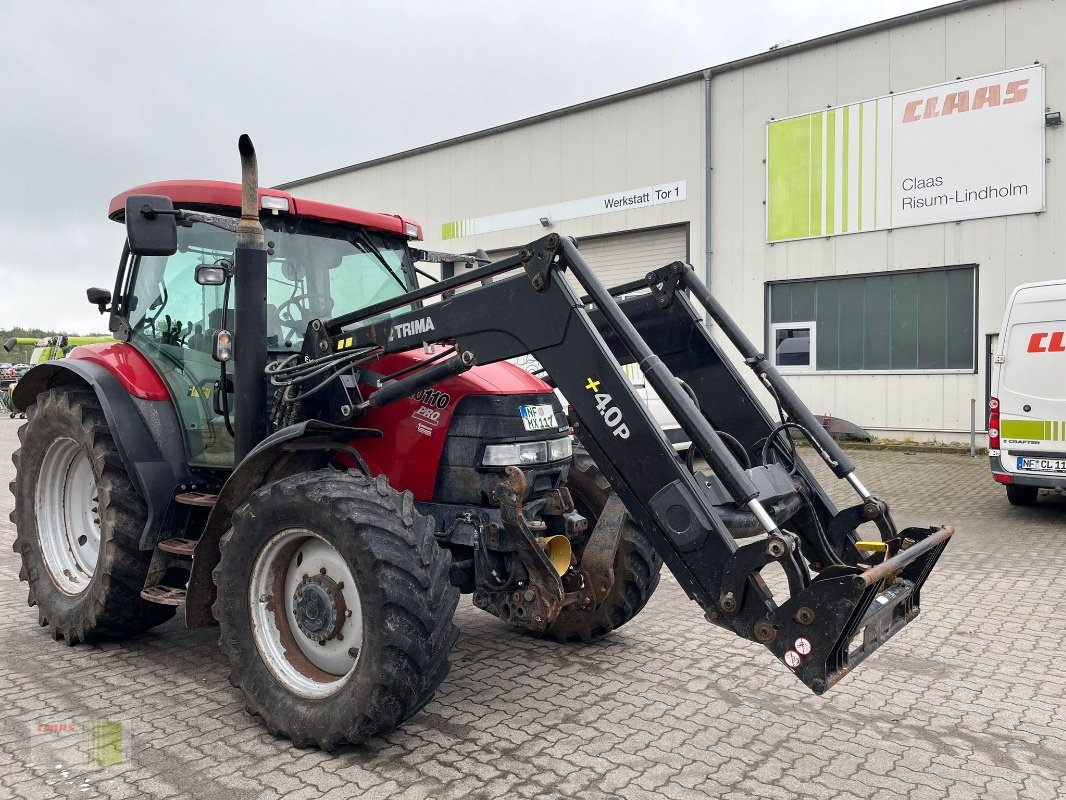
(637, 565)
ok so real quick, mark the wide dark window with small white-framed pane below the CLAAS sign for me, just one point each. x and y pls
(914, 321)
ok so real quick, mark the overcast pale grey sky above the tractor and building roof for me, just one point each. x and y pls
(96, 98)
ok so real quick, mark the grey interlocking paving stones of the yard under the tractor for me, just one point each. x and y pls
(968, 702)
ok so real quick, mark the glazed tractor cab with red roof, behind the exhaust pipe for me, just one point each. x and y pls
(175, 308)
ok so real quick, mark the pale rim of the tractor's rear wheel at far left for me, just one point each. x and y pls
(69, 519)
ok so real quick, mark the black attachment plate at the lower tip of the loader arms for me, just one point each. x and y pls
(819, 630)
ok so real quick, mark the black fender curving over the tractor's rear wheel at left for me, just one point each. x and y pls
(147, 433)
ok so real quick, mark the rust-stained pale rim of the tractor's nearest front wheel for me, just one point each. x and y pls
(306, 615)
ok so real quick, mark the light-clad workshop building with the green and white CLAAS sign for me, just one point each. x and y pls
(863, 203)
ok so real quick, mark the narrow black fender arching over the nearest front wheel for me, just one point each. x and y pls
(309, 445)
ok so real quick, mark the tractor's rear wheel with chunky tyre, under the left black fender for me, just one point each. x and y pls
(79, 522)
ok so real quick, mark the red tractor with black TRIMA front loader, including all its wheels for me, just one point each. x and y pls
(297, 443)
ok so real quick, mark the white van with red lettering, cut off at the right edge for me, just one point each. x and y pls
(1027, 420)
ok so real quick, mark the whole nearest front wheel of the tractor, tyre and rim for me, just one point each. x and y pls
(335, 607)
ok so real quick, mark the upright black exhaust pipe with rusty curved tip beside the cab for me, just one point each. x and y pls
(250, 310)
